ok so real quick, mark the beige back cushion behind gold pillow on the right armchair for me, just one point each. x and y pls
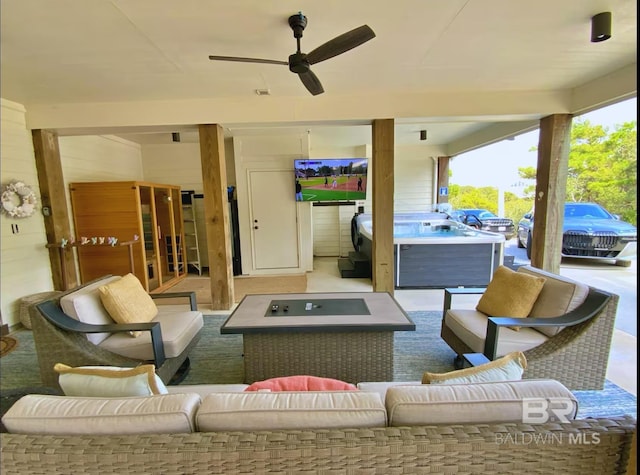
(559, 295)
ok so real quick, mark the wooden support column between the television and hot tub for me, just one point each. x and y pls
(382, 202)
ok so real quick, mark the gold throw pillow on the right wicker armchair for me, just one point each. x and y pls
(510, 294)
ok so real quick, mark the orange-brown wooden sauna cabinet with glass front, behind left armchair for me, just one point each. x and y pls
(148, 212)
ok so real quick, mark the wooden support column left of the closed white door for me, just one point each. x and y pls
(216, 211)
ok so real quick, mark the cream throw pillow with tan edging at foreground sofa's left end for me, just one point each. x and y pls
(109, 381)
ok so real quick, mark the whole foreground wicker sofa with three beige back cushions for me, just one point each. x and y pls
(383, 428)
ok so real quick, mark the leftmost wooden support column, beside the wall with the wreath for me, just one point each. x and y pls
(53, 196)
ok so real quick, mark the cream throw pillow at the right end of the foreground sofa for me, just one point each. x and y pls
(508, 368)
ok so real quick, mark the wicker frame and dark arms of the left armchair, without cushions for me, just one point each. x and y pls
(61, 338)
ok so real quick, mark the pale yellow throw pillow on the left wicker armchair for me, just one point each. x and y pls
(128, 302)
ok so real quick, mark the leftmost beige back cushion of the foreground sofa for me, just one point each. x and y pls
(161, 414)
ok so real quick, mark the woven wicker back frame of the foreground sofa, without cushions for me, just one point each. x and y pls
(602, 446)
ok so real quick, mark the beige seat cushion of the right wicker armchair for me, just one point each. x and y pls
(471, 327)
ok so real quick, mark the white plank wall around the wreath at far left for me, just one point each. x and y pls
(25, 268)
